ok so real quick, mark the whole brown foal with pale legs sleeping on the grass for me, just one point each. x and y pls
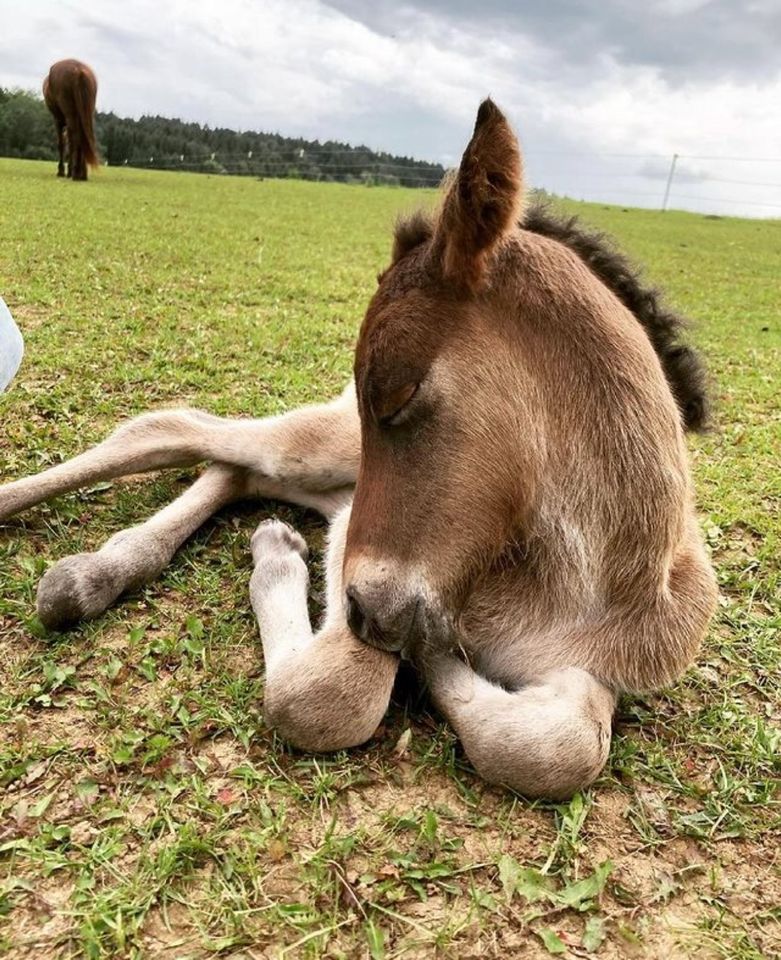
(507, 489)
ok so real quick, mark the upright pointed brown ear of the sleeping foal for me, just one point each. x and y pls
(484, 200)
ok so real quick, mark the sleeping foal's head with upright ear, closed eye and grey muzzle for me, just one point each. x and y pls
(438, 491)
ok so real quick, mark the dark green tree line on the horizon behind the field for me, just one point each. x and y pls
(27, 131)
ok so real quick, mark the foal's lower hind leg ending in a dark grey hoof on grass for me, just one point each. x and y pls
(83, 585)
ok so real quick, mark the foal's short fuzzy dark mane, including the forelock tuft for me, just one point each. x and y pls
(681, 363)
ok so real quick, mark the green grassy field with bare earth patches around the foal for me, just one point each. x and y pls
(146, 809)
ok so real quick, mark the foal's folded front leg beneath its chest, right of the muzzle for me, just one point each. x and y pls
(547, 739)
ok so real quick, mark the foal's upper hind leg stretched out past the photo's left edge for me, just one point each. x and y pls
(313, 449)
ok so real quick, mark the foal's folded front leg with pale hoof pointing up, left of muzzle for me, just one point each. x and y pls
(324, 690)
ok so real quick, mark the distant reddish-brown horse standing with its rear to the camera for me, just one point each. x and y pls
(70, 90)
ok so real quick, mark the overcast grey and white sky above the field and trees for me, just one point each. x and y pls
(581, 82)
